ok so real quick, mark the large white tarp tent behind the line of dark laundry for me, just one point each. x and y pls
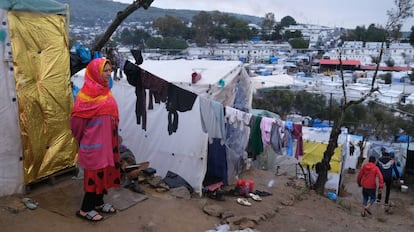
(183, 152)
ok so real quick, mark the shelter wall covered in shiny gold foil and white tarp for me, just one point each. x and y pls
(35, 93)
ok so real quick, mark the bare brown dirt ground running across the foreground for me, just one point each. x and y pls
(291, 207)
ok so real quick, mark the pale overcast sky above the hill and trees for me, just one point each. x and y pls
(339, 13)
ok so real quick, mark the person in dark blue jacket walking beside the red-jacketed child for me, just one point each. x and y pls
(387, 165)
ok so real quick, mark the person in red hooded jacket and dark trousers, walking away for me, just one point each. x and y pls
(367, 179)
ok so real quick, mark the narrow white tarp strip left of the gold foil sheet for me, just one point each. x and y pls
(11, 165)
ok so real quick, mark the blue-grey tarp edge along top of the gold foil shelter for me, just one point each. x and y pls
(48, 6)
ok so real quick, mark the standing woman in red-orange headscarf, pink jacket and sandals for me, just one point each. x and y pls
(94, 124)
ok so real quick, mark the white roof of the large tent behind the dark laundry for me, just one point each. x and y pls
(218, 78)
